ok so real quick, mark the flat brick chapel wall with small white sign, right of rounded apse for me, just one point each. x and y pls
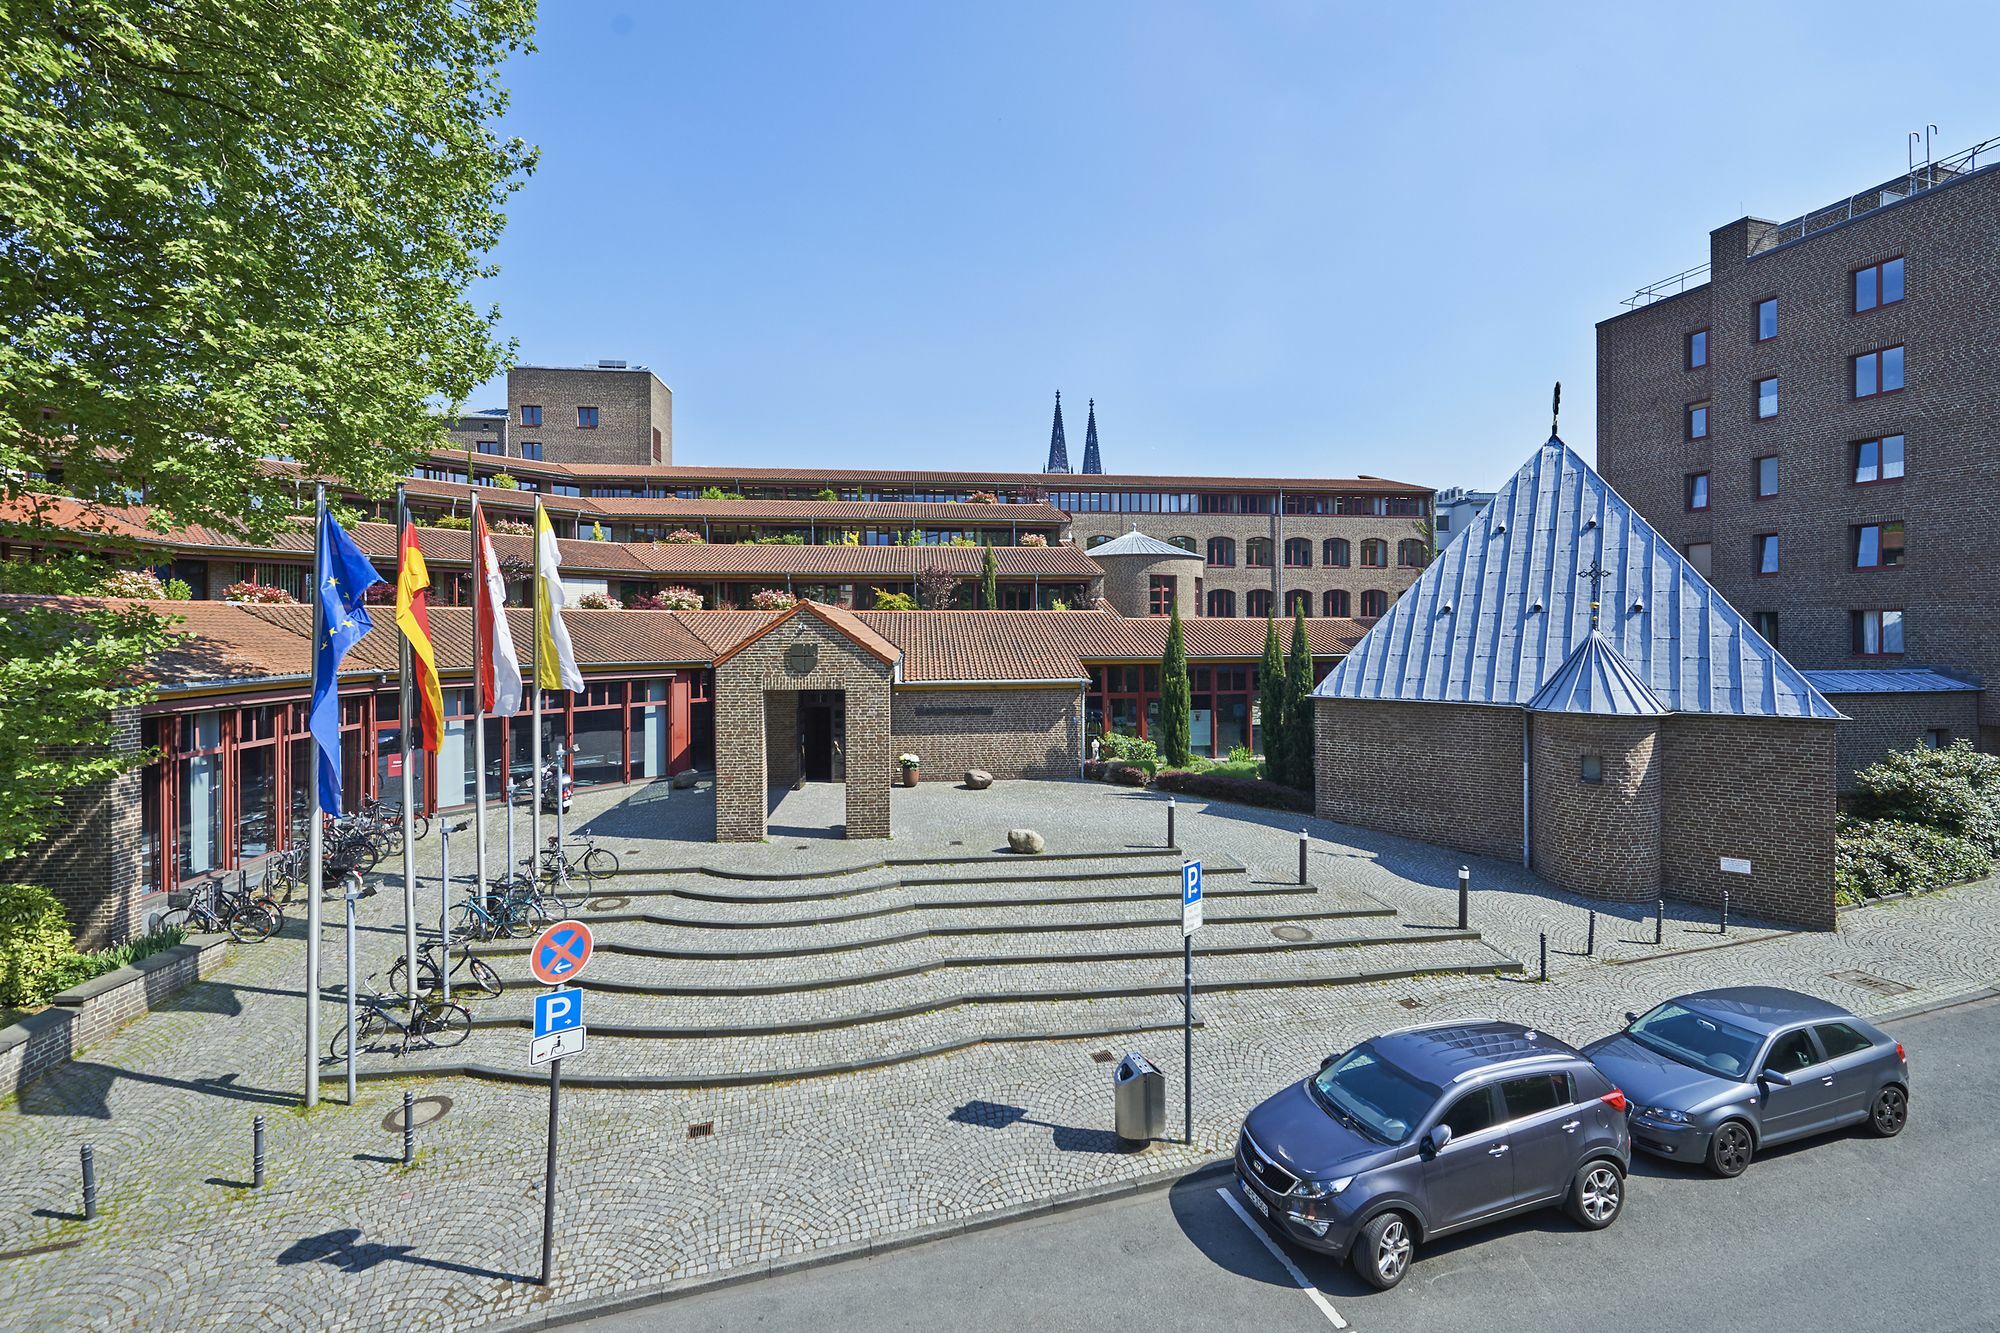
(1755, 790)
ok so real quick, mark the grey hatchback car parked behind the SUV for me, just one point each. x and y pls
(1719, 1076)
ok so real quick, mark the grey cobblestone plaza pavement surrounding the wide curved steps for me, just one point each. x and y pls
(345, 1238)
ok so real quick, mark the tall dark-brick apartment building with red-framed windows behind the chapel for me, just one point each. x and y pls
(1815, 421)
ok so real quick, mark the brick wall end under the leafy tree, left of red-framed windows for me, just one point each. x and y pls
(91, 860)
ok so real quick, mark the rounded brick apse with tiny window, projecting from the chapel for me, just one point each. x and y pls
(1601, 840)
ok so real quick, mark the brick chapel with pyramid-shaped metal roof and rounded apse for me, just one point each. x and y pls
(1563, 688)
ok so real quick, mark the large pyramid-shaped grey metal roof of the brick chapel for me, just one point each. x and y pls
(1507, 607)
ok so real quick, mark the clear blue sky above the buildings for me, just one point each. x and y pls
(1269, 239)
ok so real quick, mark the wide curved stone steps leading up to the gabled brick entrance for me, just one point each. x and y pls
(707, 980)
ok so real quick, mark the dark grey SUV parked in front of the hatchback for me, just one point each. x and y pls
(1429, 1132)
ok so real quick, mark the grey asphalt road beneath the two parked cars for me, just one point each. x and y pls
(1841, 1232)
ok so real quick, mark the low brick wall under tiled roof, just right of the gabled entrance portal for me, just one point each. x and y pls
(1013, 734)
